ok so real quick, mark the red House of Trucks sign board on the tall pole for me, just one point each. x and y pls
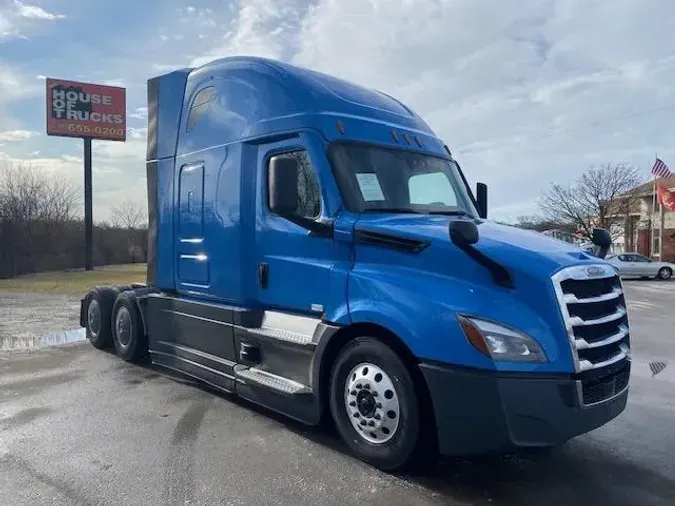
(86, 110)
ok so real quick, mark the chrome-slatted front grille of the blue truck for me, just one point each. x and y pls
(594, 311)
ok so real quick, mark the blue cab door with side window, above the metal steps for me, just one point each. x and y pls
(294, 264)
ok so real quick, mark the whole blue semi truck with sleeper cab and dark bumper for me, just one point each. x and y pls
(315, 248)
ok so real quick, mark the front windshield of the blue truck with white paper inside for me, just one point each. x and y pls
(375, 179)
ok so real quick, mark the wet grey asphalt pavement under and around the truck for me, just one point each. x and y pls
(79, 426)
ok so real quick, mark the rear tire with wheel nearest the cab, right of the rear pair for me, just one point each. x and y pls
(128, 334)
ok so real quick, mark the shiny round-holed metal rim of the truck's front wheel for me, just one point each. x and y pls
(372, 403)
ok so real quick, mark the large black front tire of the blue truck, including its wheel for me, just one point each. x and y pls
(369, 380)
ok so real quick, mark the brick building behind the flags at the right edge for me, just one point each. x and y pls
(638, 228)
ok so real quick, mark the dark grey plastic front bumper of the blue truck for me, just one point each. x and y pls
(485, 411)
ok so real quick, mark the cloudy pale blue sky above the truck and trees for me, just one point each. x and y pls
(524, 92)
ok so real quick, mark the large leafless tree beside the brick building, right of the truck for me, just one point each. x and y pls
(601, 197)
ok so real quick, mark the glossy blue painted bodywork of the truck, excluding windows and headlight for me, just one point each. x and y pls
(256, 108)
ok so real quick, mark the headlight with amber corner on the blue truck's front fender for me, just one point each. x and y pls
(500, 342)
